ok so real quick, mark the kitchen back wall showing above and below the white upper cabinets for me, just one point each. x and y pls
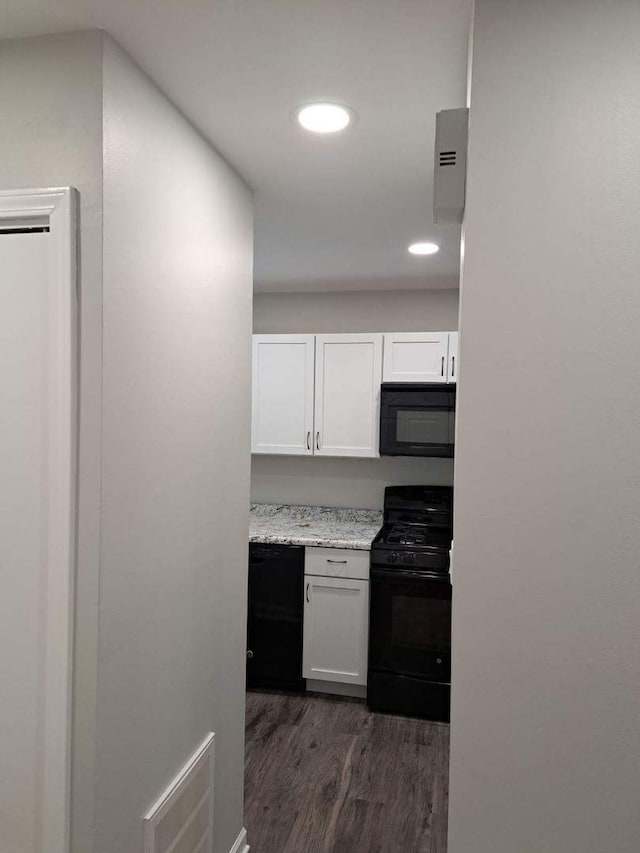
(347, 482)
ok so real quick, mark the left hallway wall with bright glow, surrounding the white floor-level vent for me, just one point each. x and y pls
(177, 323)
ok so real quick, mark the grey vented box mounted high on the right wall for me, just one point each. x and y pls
(450, 166)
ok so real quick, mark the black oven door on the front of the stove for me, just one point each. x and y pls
(410, 627)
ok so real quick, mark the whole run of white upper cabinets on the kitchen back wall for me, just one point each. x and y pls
(320, 394)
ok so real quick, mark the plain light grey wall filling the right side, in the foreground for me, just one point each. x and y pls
(546, 669)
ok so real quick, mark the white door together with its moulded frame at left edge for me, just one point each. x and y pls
(36, 534)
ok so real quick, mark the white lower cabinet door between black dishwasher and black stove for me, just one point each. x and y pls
(336, 629)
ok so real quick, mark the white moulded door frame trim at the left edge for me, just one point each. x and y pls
(57, 209)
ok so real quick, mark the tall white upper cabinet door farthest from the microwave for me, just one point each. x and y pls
(282, 416)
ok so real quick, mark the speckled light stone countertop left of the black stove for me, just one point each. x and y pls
(319, 526)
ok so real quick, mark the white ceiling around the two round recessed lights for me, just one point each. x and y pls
(332, 213)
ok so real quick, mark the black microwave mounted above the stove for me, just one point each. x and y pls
(417, 419)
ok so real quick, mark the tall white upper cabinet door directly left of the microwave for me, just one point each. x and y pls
(348, 377)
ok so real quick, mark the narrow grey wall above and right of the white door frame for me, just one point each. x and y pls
(51, 108)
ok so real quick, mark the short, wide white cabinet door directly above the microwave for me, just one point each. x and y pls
(415, 356)
